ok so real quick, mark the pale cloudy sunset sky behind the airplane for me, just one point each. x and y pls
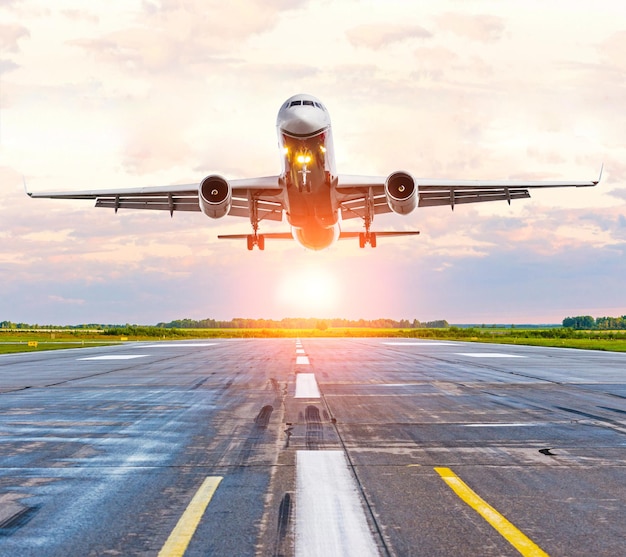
(136, 93)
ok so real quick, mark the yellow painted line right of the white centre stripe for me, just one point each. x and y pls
(506, 529)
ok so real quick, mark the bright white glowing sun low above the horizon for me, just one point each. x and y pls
(309, 292)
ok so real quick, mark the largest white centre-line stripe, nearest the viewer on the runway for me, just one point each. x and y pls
(330, 519)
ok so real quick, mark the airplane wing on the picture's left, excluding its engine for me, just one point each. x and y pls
(266, 191)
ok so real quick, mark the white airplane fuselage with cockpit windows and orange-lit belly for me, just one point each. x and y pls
(308, 170)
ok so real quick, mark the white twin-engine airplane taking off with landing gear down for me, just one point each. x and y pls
(309, 192)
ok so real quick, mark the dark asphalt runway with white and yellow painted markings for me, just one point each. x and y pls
(272, 447)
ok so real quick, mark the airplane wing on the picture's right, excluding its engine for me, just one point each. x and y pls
(355, 192)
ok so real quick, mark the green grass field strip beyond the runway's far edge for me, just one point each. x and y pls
(18, 341)
